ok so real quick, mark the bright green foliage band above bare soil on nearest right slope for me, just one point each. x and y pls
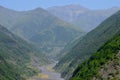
(90, 68)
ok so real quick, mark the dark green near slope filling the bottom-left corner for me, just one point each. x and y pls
(8, 72)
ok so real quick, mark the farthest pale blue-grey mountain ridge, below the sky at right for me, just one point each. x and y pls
(85, 18)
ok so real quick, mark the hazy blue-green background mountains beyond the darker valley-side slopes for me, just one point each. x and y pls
(46, 31)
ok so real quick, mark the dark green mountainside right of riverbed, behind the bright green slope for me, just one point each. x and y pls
(89, 44)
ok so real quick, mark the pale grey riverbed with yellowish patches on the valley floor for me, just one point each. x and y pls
(48, 73)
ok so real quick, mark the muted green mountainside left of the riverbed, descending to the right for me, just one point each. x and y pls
(18, 59)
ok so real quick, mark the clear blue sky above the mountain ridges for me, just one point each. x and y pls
(22, 5)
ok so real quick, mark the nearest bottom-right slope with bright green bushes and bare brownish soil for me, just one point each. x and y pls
(103, 64)
